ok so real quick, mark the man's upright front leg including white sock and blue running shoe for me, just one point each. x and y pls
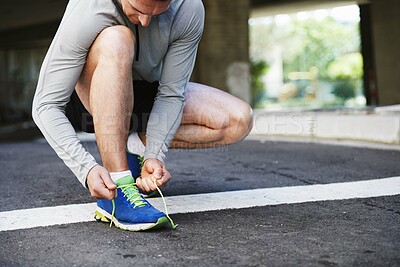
(105, 89)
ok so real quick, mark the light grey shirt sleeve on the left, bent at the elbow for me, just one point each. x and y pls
(82, 22)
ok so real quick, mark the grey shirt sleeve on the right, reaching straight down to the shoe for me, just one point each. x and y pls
(166, 114)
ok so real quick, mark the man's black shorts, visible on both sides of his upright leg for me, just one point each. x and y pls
(144, 94)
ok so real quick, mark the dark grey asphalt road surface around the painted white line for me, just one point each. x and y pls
(355, 232)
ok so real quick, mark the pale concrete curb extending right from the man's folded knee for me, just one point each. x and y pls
(378, 125)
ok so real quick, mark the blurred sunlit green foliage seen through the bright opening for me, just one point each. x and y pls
(330, 46)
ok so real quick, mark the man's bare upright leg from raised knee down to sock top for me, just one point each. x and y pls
(105, 89)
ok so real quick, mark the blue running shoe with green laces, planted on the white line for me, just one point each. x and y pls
(129, 210)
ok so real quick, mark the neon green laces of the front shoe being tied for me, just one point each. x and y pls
(132, 194)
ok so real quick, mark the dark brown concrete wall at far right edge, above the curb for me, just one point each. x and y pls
(386, 36)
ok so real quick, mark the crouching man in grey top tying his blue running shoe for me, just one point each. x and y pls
(111, 63)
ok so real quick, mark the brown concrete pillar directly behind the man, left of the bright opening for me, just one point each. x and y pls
(223, 56)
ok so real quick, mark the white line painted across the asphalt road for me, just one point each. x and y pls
(47, 216)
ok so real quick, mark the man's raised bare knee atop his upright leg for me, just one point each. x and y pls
(115, 43)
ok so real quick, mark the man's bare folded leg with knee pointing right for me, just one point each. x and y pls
(211, 118)
